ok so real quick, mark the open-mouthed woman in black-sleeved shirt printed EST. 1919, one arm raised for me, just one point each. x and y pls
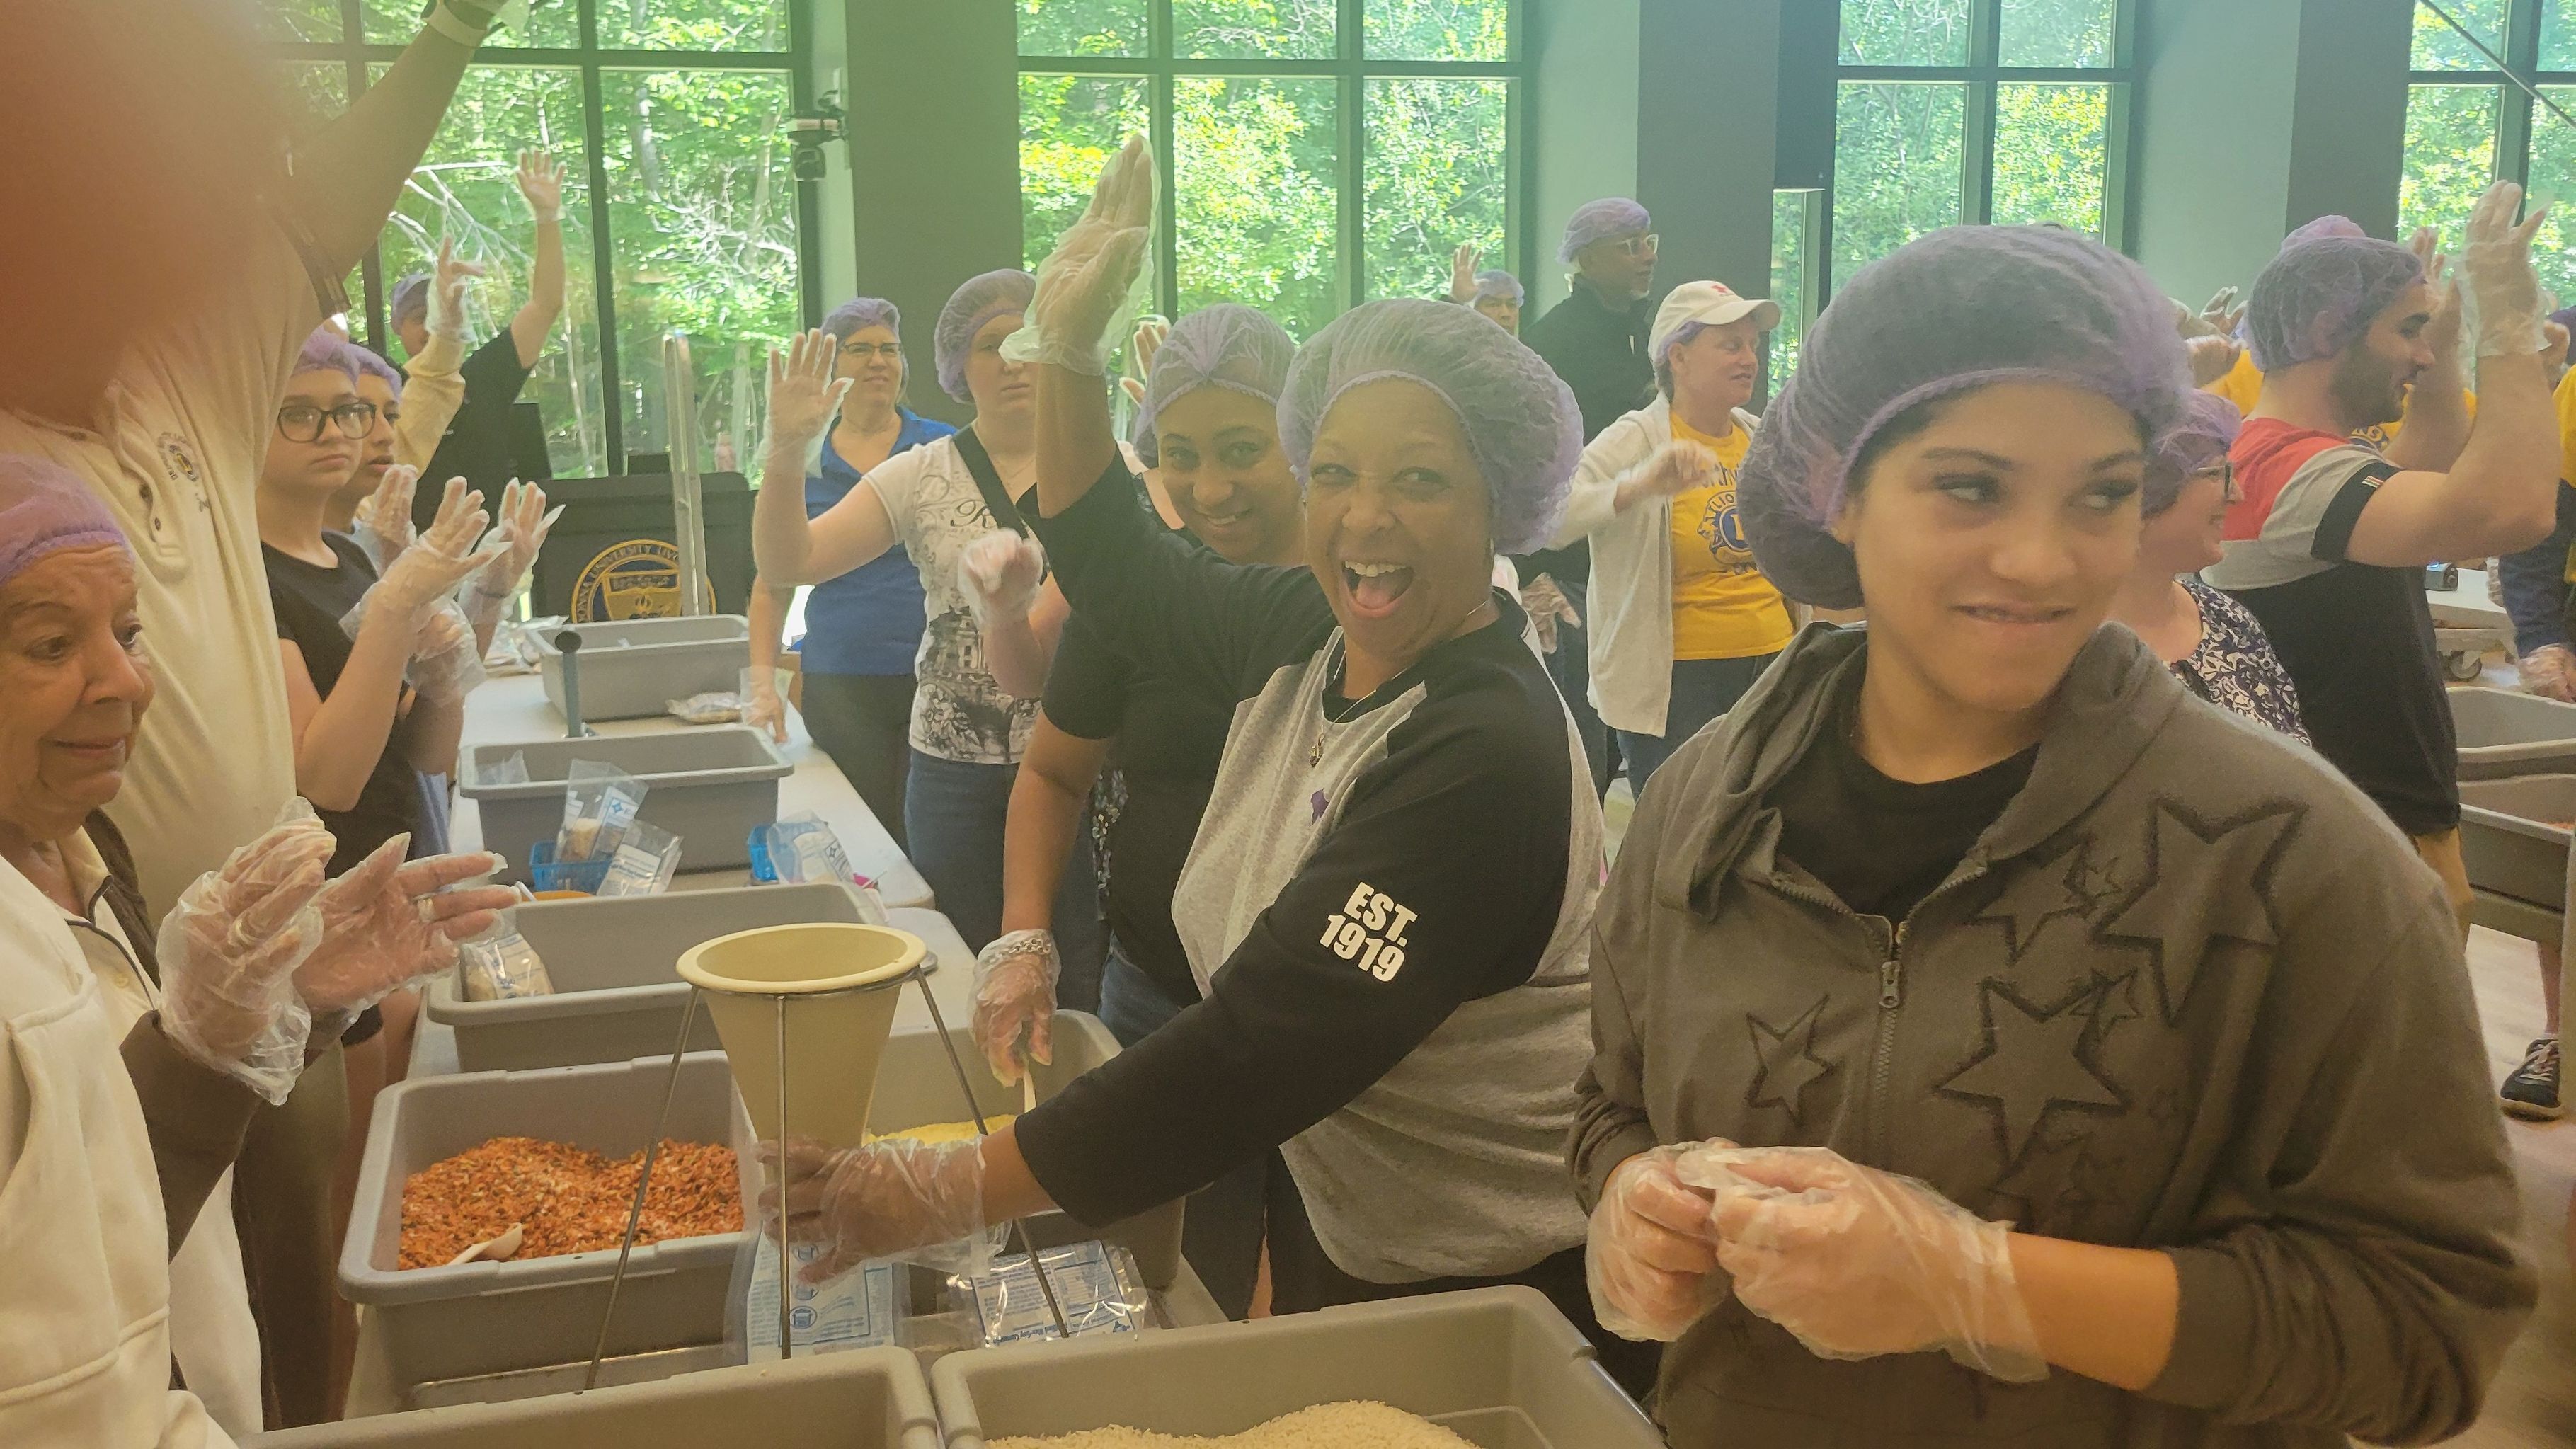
(1387, 902)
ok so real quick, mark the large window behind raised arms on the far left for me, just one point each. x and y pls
(681, 212)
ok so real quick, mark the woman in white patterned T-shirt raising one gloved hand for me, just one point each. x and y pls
(954, 508)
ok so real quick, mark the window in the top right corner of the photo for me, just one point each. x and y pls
(2472, 120)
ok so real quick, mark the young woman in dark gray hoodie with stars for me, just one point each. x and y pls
(1977, 1005)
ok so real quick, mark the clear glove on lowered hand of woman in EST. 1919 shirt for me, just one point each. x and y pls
(877, 1201)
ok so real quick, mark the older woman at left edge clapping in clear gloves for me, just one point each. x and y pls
(133, 1057)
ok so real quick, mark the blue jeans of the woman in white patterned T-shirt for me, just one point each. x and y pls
(954, 817)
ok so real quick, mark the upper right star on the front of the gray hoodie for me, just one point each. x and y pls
(2204, 881)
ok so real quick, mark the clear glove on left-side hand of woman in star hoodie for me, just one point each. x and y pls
(1653, 1257)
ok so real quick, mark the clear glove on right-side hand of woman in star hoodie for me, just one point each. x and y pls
(1861, 1262)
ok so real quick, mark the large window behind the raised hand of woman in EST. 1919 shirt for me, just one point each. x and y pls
(1315, 153)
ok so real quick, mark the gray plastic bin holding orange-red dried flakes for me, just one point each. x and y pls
(493, 1319)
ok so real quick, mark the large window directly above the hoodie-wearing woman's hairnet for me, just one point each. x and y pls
(1975, 112)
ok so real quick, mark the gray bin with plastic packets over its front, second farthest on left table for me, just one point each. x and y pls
(707, 786)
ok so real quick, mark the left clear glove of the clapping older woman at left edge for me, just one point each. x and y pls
(231, 954)
